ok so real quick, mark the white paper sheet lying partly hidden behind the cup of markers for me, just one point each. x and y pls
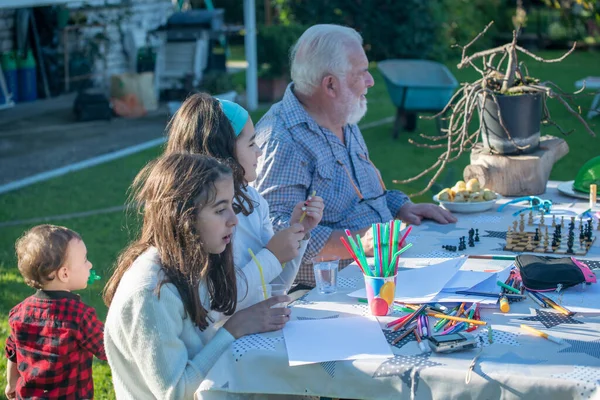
(421, 284)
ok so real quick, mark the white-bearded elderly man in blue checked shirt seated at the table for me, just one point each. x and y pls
(311, 142)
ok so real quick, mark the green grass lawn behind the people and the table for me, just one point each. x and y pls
(106, 186)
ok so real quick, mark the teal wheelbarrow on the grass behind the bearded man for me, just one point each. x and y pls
(417, 86)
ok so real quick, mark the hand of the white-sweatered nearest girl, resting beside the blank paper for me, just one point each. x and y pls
(259, 318)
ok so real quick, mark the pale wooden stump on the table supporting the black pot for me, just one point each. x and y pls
(516, 175)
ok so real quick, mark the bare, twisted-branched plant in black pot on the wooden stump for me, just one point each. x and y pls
(511, 106)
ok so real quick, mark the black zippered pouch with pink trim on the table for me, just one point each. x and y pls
(546, 273)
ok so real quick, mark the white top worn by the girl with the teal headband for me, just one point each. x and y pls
(254, 231)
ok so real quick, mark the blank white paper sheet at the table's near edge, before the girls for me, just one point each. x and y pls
(321, 340)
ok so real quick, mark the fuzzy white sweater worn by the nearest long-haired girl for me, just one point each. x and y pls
(154, 349)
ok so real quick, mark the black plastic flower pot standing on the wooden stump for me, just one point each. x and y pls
(521, 115)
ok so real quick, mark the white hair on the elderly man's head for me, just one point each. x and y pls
(322, 50)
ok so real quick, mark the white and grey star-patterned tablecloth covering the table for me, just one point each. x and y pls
(514, 365)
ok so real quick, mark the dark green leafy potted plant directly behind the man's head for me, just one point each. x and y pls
(273, 48)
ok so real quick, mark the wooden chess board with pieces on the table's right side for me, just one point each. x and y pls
(524, 242)
